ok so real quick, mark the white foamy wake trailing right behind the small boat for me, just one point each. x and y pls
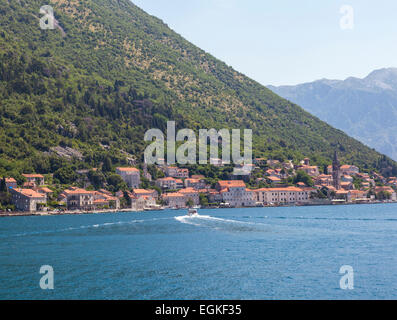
(222, 224)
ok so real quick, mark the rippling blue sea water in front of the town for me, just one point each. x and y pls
(257, 253)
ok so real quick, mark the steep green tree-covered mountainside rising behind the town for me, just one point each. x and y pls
(109, 71)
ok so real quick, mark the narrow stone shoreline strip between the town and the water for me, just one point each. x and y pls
(115, 211)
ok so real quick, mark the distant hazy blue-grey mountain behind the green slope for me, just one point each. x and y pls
(364, 108)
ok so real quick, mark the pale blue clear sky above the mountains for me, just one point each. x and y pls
(286, 42)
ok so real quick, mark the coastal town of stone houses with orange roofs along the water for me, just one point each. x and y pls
(270, 183)
